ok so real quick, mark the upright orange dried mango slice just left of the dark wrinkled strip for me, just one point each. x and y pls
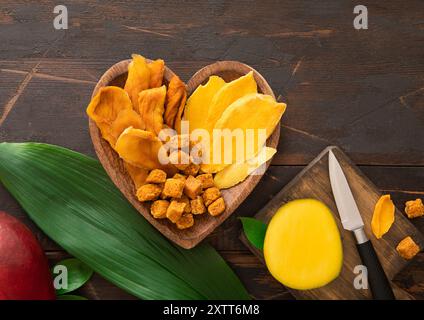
(151, 107)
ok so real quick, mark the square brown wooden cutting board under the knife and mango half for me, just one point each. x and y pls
(313, 182)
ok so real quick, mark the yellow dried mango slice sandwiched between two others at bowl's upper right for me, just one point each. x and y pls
(226, 95)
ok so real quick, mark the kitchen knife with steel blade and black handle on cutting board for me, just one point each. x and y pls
(352, 221)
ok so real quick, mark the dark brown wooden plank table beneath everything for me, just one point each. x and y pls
(361, 90)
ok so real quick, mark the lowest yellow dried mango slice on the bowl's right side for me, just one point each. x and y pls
(237, 172)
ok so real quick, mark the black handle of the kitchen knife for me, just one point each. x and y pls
(377, 279)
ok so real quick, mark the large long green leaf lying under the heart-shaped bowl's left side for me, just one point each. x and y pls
(72, 200)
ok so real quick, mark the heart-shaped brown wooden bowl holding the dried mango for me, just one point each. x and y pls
(203, 224)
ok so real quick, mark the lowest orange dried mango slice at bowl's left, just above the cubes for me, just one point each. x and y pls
(141, 148)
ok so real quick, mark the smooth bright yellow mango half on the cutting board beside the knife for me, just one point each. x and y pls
(302, 246)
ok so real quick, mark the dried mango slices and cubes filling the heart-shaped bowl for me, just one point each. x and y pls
(132, 119)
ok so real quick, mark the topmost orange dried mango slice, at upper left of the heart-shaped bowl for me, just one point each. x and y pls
(138, 78)
